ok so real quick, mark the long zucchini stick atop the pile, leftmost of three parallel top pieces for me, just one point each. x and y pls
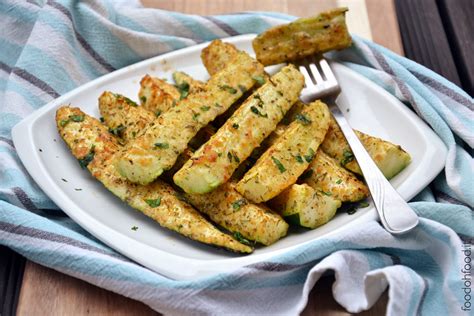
(157, 149)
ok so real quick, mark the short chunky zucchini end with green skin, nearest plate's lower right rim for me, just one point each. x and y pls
(302, 205)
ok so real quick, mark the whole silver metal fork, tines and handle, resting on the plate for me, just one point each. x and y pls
(394, 213)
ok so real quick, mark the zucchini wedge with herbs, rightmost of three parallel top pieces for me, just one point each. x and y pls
(290, 155)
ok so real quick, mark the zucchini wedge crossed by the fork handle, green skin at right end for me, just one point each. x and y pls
(390, 158)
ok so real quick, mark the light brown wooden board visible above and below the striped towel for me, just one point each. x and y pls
(47, 292)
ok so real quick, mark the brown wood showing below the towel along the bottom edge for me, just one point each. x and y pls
(48, 292)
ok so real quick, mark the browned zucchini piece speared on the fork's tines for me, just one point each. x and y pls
(303, 37)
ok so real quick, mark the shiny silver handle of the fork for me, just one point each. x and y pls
(395, 214)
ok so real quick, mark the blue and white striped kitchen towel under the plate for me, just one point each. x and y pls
(48, 48)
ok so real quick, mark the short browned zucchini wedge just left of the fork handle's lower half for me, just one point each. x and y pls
(326, 176)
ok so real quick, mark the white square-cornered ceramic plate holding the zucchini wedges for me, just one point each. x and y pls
(373, 111)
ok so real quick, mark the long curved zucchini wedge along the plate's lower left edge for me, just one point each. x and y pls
(94, 147)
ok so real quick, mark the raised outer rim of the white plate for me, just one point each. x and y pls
(22, 136)
